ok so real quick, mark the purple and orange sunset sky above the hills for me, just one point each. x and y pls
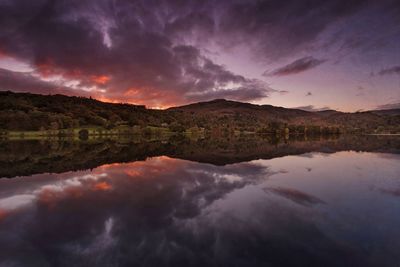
(314, 55)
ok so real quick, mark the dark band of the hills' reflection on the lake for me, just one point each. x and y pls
(21, 158)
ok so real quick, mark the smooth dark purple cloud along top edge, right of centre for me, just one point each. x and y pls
(281, 28)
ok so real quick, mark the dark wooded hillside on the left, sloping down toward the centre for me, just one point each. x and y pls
(25, 111)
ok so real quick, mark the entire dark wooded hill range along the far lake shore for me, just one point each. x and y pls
(25, 111)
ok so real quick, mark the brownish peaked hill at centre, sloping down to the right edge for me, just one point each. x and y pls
(249, 116)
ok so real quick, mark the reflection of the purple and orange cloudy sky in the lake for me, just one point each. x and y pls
(166, 211)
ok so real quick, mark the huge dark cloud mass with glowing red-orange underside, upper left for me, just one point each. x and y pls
(126, 43)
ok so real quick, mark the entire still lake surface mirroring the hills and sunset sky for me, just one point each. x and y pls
(208, 202)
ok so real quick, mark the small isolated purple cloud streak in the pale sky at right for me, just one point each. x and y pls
(297, 66)
